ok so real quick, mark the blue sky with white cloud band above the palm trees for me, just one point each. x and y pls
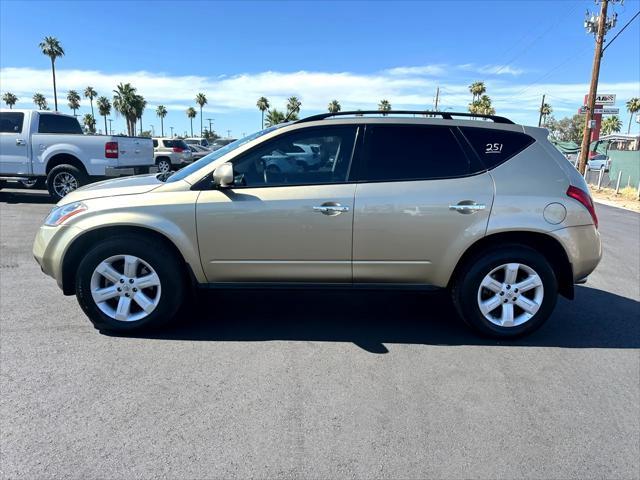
(356, 52)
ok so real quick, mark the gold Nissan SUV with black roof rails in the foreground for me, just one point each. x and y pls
(490, 211)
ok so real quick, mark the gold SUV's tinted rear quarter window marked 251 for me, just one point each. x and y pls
(496, 146)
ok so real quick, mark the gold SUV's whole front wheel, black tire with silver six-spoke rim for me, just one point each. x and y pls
(129, 283)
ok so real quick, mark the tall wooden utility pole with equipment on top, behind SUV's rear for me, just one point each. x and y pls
(598, 26)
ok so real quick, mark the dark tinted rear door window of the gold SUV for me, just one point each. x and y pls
(413, 152)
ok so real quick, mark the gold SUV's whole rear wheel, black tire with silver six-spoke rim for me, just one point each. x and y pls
(506, 292)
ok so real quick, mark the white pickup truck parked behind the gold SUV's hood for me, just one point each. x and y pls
(51, 146)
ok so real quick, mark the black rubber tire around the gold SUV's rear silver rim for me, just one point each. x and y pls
(466, 286)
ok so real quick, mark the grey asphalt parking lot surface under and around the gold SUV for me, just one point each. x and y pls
(318, 384)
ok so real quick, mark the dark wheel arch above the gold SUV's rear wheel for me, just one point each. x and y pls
(548, 246)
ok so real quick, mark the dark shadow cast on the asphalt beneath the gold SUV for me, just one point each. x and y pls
(371, 320)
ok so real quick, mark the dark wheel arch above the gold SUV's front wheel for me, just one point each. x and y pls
(73, 256)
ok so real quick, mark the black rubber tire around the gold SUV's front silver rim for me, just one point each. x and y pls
(160, 257)
